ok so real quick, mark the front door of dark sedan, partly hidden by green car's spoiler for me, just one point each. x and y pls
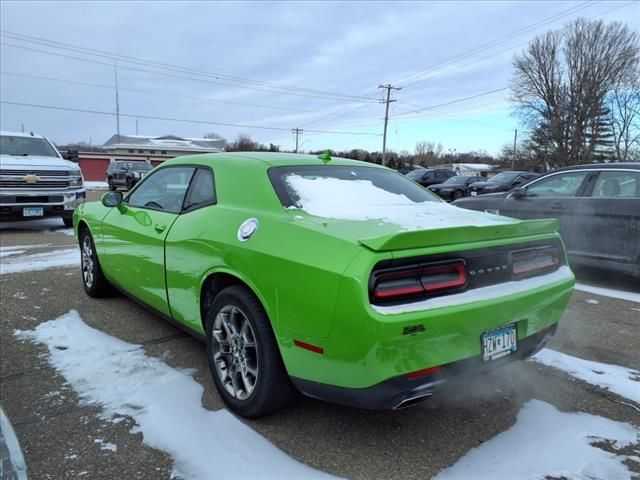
(553, 196)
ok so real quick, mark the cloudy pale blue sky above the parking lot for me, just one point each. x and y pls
(316, 66)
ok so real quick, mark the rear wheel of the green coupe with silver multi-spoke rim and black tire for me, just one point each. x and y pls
(243, 355)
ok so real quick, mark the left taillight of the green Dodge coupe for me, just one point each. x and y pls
(419, 280)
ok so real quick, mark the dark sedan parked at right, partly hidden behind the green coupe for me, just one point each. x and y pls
(598, 207)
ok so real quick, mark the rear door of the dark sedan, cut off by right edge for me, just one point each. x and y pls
(606, 221)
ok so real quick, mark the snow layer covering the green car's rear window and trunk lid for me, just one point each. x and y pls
(362, 200)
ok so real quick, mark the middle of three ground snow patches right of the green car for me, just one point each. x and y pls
(620, 380)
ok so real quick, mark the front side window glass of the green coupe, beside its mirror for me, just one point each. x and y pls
(163, 190)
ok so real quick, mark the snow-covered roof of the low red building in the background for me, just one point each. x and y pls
(165, 142)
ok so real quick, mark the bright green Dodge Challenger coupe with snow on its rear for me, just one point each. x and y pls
(340, 279)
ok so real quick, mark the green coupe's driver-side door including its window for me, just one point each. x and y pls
(134, 234)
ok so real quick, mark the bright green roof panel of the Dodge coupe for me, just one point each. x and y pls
(268, 159)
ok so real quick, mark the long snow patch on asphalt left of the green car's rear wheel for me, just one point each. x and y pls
(165, 403)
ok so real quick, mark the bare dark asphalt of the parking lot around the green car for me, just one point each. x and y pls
(63, 438)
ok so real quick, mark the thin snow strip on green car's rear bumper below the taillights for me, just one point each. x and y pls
(490, 292)
